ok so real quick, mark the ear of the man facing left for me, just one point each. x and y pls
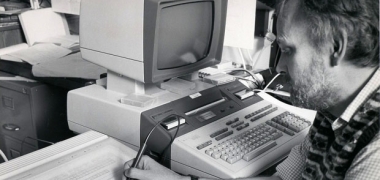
(340, 47)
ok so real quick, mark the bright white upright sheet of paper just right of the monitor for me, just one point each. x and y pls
(240, 23)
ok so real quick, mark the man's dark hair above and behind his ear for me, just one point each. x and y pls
(359, 18)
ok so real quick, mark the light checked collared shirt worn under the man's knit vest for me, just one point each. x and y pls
(366, 164)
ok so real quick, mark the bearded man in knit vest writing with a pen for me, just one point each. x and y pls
(330, 53)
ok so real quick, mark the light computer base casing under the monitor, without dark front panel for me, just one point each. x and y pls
(99, 108)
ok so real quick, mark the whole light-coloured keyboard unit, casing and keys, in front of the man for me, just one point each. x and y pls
(242, 144)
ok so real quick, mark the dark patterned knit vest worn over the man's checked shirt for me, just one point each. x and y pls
(331, 154)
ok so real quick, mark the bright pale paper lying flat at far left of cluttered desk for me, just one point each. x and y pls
(40, 53)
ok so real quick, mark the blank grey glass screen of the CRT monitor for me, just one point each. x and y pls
(184, 34)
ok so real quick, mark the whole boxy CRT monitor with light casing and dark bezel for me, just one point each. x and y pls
(152, 40)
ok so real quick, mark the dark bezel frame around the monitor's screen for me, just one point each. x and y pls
(151, 73)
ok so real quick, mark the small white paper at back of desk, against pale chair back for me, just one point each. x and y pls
(66, 41)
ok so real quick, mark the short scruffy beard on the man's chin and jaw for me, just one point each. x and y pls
(314, 88)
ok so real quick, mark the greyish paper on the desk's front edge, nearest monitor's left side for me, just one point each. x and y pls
(72, 65)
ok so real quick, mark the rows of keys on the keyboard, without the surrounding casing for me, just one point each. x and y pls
(256, 140)
